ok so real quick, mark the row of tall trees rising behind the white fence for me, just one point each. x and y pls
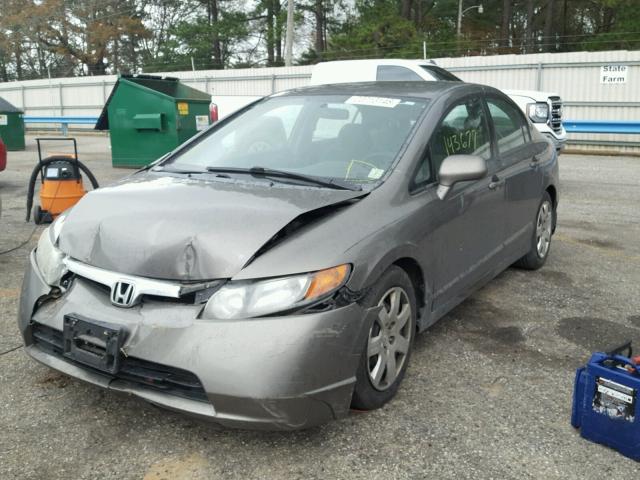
(39, 38)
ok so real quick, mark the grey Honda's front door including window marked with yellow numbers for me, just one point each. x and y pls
(467, 227)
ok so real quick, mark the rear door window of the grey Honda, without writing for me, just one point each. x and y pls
(511, 130)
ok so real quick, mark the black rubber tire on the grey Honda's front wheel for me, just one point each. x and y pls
(366, 396)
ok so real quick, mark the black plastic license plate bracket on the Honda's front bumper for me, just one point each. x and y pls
(93, 343)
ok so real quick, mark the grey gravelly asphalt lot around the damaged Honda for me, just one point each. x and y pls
(487, 394)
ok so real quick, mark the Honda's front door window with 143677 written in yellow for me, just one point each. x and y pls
(464, 130)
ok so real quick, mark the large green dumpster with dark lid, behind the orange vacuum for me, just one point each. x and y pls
(148, 116)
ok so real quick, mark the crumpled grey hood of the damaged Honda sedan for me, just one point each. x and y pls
(184, 229)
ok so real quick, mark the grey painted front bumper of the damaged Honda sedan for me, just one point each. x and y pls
(285, 372)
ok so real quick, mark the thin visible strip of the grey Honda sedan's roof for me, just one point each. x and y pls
(418, 89)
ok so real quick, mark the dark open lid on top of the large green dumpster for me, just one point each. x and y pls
(167, 86)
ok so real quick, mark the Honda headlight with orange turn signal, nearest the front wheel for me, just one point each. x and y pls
(247, 299)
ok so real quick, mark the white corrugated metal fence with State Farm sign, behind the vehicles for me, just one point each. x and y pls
(576, 77)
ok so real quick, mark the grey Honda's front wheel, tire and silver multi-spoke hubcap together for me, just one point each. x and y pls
(388, 346)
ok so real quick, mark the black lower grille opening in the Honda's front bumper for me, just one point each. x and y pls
(151, 375)
